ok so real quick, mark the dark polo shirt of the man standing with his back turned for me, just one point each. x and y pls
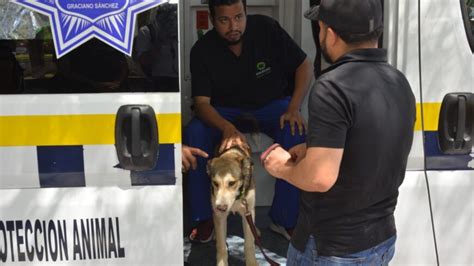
(365, 106)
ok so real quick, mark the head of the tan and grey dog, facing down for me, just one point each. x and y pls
(230, 174)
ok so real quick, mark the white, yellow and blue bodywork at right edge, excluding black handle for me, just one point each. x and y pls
(447, 65)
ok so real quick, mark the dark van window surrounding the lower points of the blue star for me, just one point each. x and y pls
(28, 62)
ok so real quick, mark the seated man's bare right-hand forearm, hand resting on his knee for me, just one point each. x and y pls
(303, 75)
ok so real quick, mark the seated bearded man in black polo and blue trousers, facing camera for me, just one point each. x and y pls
(244, 65)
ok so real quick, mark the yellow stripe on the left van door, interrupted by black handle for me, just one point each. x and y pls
(61, 130)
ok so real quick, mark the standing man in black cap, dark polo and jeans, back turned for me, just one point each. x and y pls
(360, 131)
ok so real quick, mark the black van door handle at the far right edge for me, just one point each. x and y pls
(455, 125)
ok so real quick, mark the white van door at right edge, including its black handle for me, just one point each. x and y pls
(447, 84)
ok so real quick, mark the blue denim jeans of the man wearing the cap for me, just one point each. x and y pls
(378, 255)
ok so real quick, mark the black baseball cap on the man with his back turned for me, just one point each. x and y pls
(348, 16)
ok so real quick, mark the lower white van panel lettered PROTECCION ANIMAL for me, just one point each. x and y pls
(132, 218)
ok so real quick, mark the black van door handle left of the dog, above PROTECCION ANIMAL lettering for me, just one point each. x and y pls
(136, 137)
